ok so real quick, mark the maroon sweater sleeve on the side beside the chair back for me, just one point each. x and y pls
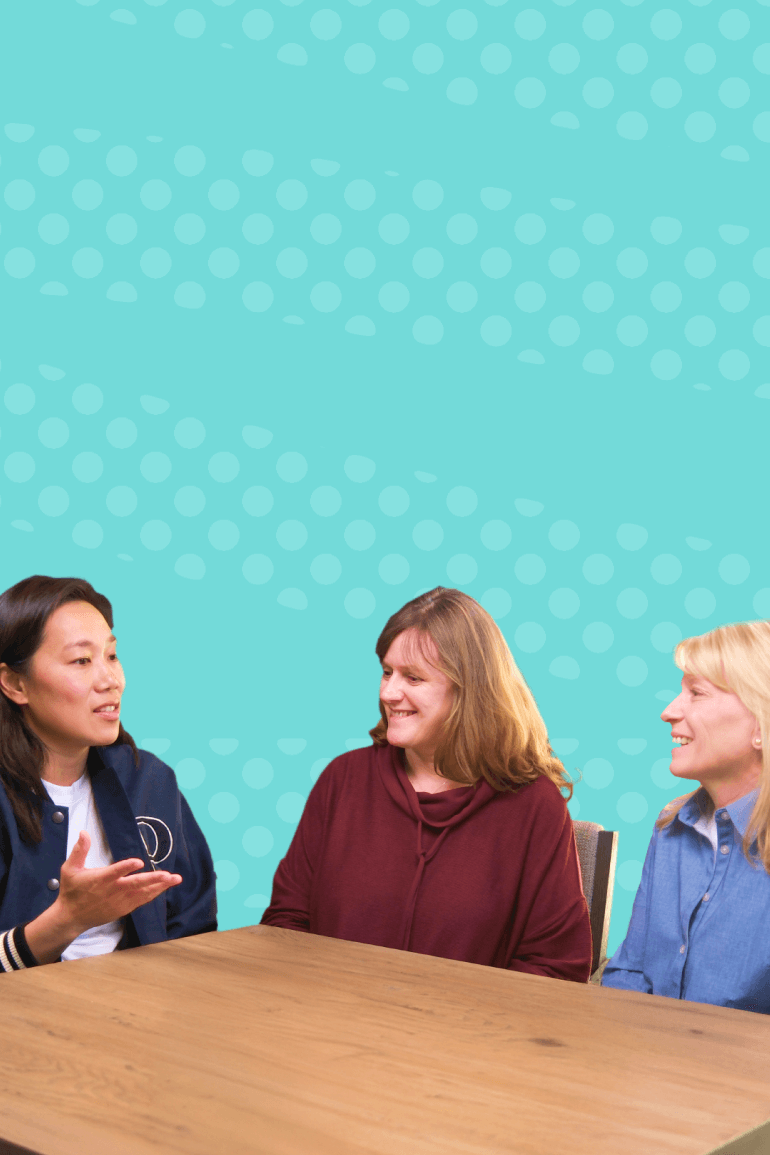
(552, 927)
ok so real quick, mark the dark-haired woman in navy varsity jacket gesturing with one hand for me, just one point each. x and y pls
(83, 811)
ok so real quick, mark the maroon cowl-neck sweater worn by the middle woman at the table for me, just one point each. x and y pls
(468, 874)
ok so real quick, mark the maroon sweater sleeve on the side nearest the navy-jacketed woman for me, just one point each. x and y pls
(290, 904)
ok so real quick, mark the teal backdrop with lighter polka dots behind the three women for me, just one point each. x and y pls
(475, 297)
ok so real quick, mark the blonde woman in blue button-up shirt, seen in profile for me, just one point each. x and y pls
(699, 929)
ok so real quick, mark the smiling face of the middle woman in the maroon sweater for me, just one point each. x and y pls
(417, 697)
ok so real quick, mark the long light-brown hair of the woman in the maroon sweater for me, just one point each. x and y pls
(495, 729)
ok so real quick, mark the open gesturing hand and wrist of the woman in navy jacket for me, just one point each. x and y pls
(91, 897)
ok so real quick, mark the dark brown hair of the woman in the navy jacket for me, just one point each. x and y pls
(25, 612)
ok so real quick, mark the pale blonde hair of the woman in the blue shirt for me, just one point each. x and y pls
(736, 659)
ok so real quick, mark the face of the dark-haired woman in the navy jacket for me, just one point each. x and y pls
(71, 697)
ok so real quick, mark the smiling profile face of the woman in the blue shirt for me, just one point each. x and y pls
(717, 741)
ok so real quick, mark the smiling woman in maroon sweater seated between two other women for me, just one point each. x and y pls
(450, 836)
